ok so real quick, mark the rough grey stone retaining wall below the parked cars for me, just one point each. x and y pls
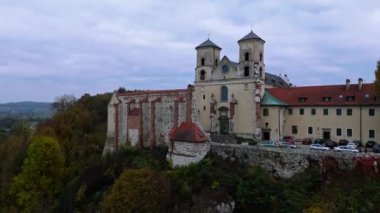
(282, 162)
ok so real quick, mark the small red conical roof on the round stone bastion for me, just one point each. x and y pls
(187, 132)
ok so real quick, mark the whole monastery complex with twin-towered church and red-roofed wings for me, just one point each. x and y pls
(241, 99)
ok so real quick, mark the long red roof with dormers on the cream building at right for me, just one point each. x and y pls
(315, 95)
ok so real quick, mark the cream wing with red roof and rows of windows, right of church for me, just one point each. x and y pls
(333, 112)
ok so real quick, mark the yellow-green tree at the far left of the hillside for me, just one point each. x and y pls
(34, 188)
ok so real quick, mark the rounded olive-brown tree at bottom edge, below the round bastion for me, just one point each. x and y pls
(138, 190)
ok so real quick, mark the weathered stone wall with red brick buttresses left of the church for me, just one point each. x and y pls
(144, 118)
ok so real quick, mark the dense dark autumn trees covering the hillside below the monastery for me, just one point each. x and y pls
(67, 174)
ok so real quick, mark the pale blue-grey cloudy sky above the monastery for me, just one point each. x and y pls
(53, 47)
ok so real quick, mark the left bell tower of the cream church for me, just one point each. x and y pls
(208, 57)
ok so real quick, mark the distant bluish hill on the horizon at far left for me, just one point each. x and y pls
(26, 108)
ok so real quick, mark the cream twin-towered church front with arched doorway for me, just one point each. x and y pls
(227, 93)
